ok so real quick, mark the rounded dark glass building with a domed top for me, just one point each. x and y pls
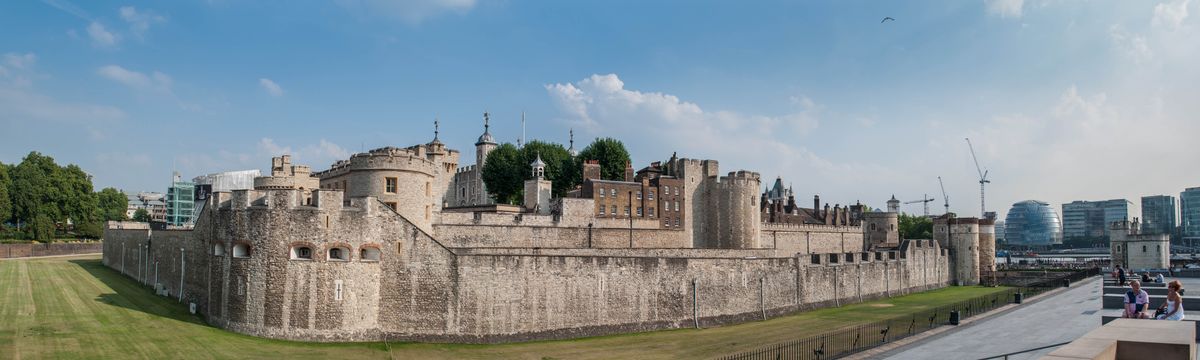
(1033, 223)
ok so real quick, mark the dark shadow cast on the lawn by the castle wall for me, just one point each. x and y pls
(133, 296)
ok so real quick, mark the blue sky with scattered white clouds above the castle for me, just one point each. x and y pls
(1064, 100)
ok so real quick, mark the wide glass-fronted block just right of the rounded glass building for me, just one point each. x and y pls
(1093, 220)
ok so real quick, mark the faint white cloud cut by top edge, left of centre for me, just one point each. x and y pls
(412, 11)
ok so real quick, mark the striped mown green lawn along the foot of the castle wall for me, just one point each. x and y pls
(77, 309)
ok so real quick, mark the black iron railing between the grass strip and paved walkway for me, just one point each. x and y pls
(843, 343)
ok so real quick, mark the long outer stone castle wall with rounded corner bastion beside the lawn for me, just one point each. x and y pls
(423, 291)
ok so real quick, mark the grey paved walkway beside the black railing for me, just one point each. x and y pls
(1054, 320)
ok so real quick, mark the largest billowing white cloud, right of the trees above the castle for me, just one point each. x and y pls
(655, 125)
